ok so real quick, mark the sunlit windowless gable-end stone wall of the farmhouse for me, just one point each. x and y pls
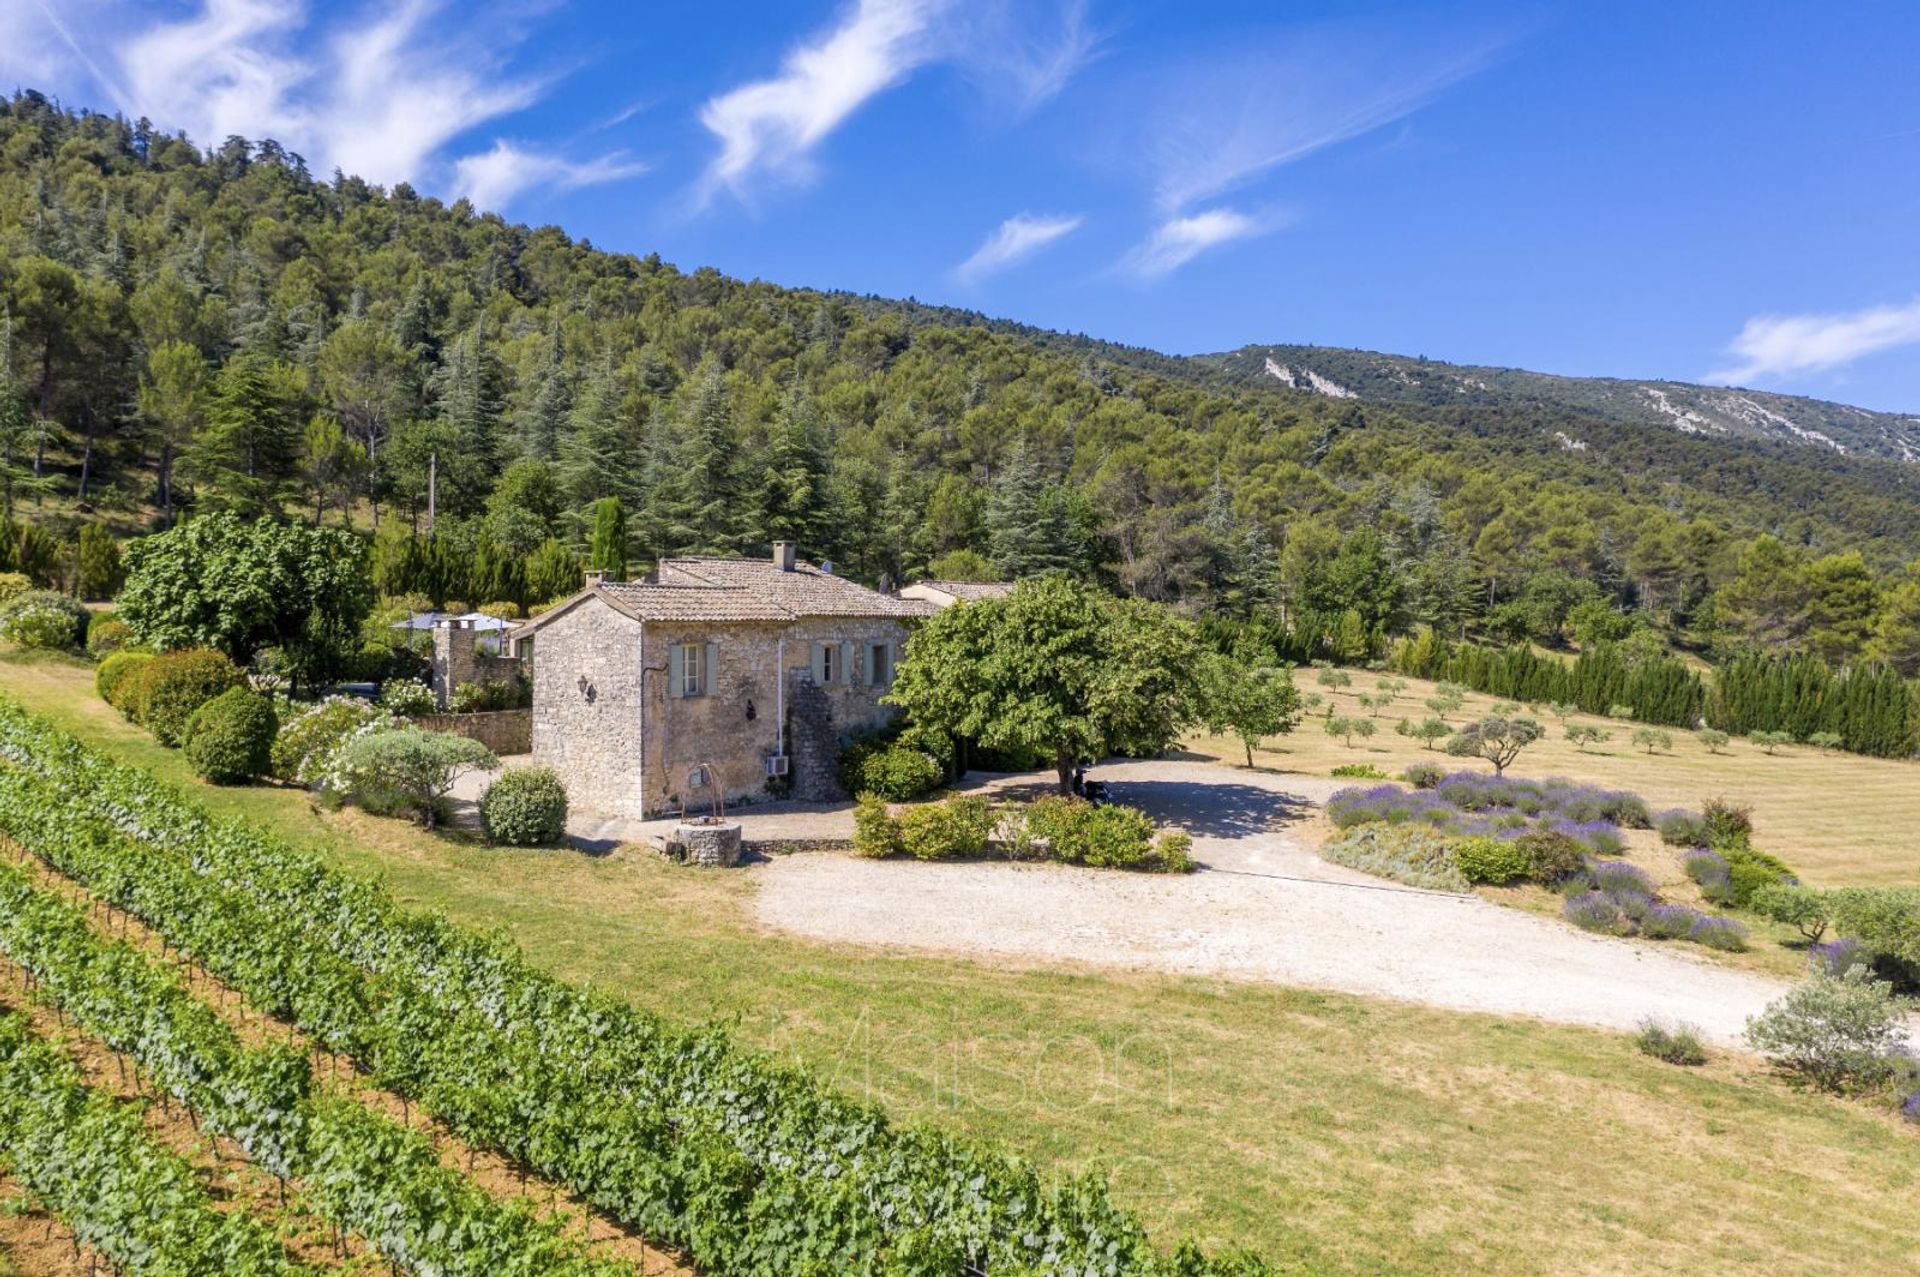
(588, 708)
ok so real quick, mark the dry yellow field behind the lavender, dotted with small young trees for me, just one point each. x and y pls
(1836, 819)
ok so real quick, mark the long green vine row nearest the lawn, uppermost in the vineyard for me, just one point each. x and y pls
(750, 1167)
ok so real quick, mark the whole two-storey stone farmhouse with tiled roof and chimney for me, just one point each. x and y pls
(709, 675)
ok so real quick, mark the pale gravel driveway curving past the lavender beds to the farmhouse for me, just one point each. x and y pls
(1262, 909)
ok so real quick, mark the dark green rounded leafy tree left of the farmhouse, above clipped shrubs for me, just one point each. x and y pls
(243, 587)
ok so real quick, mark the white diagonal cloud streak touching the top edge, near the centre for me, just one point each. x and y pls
(773, 128)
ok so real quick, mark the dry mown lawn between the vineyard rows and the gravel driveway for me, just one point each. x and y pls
(1332, 1134)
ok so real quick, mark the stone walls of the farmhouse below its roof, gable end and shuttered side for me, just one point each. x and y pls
(606, 723)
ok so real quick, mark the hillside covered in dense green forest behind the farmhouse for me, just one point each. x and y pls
(216, 331)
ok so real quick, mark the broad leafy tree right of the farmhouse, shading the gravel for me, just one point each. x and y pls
(1057, 669)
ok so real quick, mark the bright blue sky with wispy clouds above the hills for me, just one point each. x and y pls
(1717, 189)
